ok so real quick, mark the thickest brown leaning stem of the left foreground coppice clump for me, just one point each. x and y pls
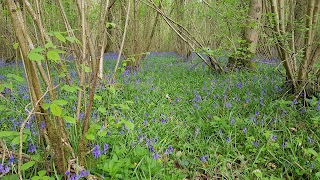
(53, 131)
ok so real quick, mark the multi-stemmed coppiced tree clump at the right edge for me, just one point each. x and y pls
(299, 58)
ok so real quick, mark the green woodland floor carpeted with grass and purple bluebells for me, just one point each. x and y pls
(181, 122)
